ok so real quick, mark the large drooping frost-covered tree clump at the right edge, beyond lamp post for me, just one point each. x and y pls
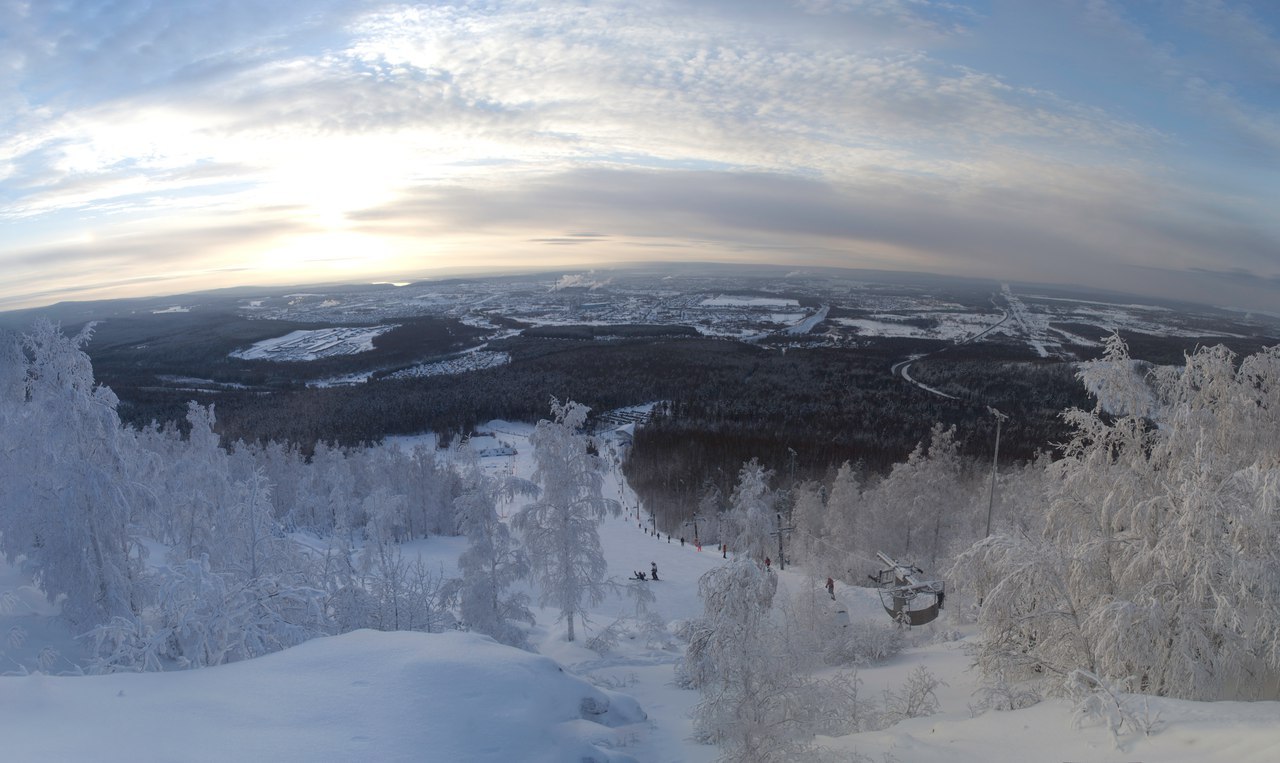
(1160, 552)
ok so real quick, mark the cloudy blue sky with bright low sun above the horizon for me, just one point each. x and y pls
(157, 148)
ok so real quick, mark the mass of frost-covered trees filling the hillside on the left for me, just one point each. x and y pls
(171, 551)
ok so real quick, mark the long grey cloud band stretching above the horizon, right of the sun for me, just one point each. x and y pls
(1060, 223)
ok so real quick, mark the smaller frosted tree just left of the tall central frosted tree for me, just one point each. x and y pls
(493, 561)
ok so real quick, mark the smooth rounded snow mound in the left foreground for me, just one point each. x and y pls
(364, 696)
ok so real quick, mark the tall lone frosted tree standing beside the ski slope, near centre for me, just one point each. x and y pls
(561, 529)
